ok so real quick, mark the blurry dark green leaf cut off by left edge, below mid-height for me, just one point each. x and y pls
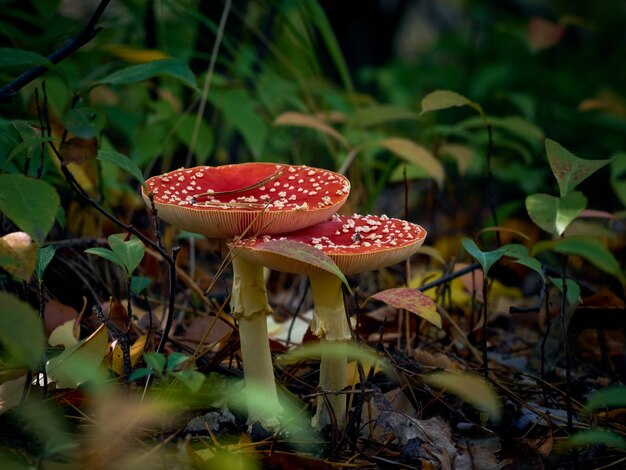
(21, 331)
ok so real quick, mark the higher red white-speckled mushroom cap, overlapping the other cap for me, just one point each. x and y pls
(251, 198)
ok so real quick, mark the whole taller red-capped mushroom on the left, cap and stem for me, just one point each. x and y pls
(248, 199)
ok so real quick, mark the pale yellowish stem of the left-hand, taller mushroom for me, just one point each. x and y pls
(249, 305)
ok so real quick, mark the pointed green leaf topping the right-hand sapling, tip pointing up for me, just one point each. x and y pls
(568, 169)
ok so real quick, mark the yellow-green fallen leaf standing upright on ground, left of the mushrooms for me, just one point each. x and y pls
(79, 363)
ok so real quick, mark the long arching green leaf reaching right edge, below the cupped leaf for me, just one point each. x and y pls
(590, 249)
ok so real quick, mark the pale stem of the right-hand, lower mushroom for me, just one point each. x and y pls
(331, 326)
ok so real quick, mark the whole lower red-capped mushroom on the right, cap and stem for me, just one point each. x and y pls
(356, 244)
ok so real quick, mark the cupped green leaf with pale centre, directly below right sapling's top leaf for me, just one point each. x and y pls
(554, 214)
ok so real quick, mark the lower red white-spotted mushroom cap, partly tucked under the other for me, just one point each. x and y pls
(355, 243)
